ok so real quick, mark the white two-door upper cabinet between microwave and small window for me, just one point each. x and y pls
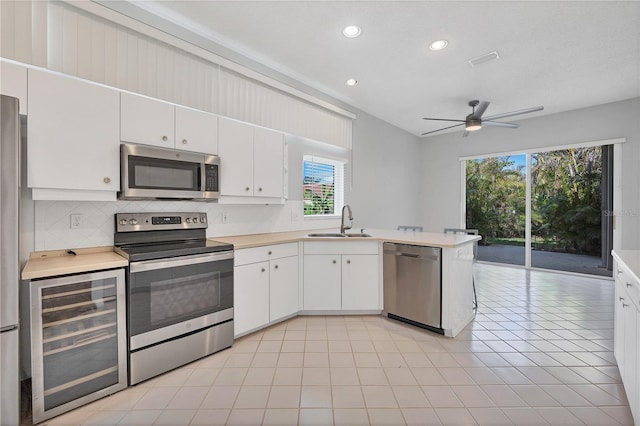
(251, 162)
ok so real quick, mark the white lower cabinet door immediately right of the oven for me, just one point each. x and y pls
(250, 296)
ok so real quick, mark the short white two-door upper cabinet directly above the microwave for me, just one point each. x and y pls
(152, 122)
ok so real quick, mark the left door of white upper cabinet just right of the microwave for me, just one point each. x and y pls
(235, 148)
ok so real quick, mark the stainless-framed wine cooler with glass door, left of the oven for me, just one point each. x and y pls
(78, 340)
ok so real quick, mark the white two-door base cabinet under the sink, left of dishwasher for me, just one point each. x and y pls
(341, 276)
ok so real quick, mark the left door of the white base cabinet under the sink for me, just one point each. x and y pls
(322, 282)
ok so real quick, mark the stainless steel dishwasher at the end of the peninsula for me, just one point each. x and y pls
(413, 285)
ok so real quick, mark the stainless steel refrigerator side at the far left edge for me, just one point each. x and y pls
(9, 260)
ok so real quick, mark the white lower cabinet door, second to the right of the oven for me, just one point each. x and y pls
(283, 283)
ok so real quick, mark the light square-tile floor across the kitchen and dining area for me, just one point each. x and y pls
(538, 352)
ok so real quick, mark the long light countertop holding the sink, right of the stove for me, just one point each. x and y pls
(403, 237)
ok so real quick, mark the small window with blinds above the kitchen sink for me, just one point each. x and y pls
(323, 186)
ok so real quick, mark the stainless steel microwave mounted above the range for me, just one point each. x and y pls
(148, 172)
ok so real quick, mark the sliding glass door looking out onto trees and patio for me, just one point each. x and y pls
(543, 210)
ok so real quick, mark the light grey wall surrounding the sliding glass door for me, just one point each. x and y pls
(441, 178)
